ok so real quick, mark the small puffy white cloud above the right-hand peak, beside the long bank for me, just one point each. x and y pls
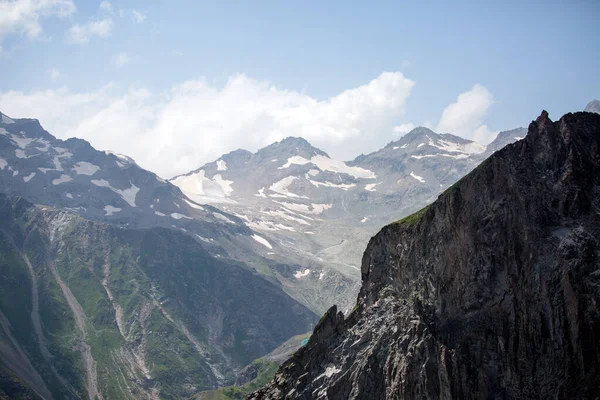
(465, 116)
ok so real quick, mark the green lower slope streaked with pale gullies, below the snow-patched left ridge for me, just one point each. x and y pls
(92, 310)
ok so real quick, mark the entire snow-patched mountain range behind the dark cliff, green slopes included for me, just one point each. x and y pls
(116, 283)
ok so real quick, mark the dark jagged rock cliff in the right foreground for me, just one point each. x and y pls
(491, 292)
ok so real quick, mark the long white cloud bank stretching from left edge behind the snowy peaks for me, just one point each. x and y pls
(196, 122)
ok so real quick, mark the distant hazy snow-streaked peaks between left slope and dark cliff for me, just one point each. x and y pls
(321, 212)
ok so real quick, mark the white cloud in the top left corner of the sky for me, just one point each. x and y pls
(23, 16)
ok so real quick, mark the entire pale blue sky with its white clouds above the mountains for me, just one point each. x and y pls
(132, 62)
